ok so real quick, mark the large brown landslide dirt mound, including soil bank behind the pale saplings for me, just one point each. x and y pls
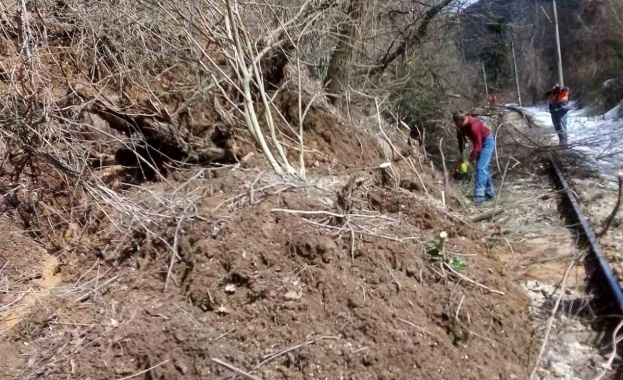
(273, 278)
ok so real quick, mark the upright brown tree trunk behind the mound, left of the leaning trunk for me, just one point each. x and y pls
(338, 73)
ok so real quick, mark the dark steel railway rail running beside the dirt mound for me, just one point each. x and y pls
(603, 274)
